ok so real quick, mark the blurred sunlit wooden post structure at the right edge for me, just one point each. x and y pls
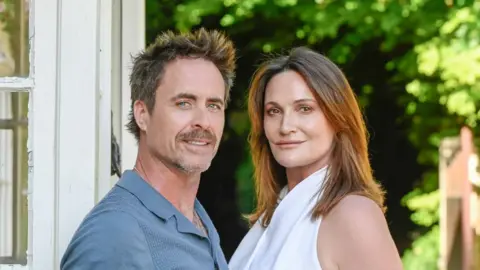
(459, 203)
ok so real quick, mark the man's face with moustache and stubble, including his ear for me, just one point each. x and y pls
(186, 125)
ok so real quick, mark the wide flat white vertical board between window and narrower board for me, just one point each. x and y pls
(77, 117)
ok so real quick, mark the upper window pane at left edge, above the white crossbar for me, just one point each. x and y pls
(14, 45)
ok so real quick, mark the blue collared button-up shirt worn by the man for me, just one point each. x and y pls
(135, 227)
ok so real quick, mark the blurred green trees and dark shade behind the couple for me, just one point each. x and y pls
(415, 66)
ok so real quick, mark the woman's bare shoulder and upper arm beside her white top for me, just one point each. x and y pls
(357, 226)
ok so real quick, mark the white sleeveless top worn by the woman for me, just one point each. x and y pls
(290, 240)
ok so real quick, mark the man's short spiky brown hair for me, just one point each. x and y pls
(149, 65)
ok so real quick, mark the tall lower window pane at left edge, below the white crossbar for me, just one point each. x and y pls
(13, 177)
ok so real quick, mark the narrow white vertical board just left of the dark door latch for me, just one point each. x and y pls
(105, 103)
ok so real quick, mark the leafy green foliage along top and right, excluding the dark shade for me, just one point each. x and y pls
(435, 51)
